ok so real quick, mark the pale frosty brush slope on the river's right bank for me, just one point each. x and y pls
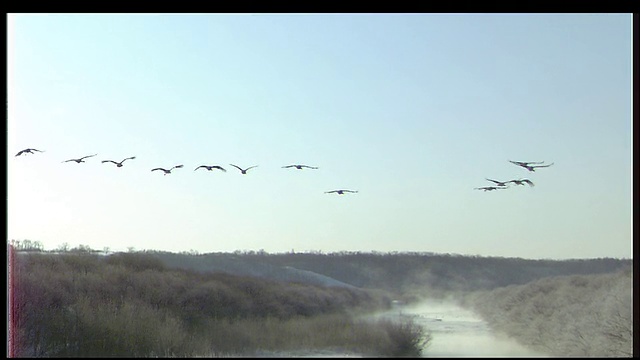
(577, 315)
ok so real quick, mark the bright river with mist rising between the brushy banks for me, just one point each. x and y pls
(458, 332)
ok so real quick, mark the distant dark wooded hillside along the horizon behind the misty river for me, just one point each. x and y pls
(408, 275)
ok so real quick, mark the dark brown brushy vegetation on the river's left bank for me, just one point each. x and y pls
(84, 305)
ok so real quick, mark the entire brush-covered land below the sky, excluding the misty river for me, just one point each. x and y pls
(82, 302)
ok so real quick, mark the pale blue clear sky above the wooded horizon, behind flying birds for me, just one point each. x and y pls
(412, 110)
